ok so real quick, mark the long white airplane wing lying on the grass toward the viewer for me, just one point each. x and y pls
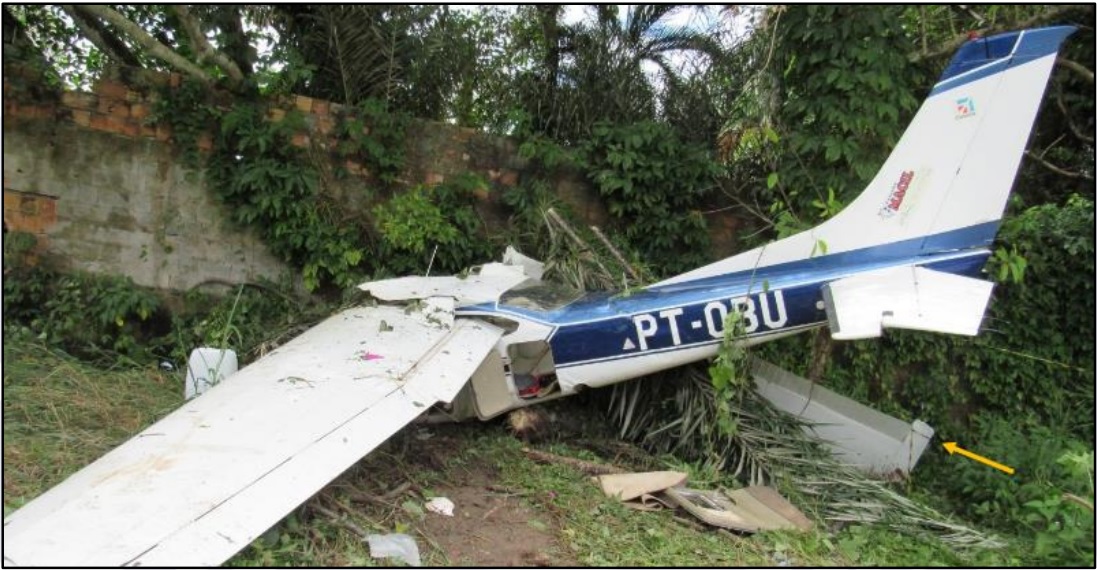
(203, 483)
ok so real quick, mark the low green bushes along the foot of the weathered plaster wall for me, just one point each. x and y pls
(108, 320)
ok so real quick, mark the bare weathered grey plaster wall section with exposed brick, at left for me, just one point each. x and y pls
(107, 203)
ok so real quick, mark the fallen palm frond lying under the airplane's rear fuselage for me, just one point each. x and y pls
(680, 417)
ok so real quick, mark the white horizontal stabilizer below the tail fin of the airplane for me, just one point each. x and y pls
(907, 298)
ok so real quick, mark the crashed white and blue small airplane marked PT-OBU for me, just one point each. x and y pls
(207, 481)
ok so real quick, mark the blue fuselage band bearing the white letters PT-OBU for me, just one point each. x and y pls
(776, 300)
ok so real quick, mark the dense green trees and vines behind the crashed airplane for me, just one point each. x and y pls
(782, 112)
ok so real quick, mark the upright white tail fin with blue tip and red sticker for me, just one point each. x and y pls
(945, 186)
